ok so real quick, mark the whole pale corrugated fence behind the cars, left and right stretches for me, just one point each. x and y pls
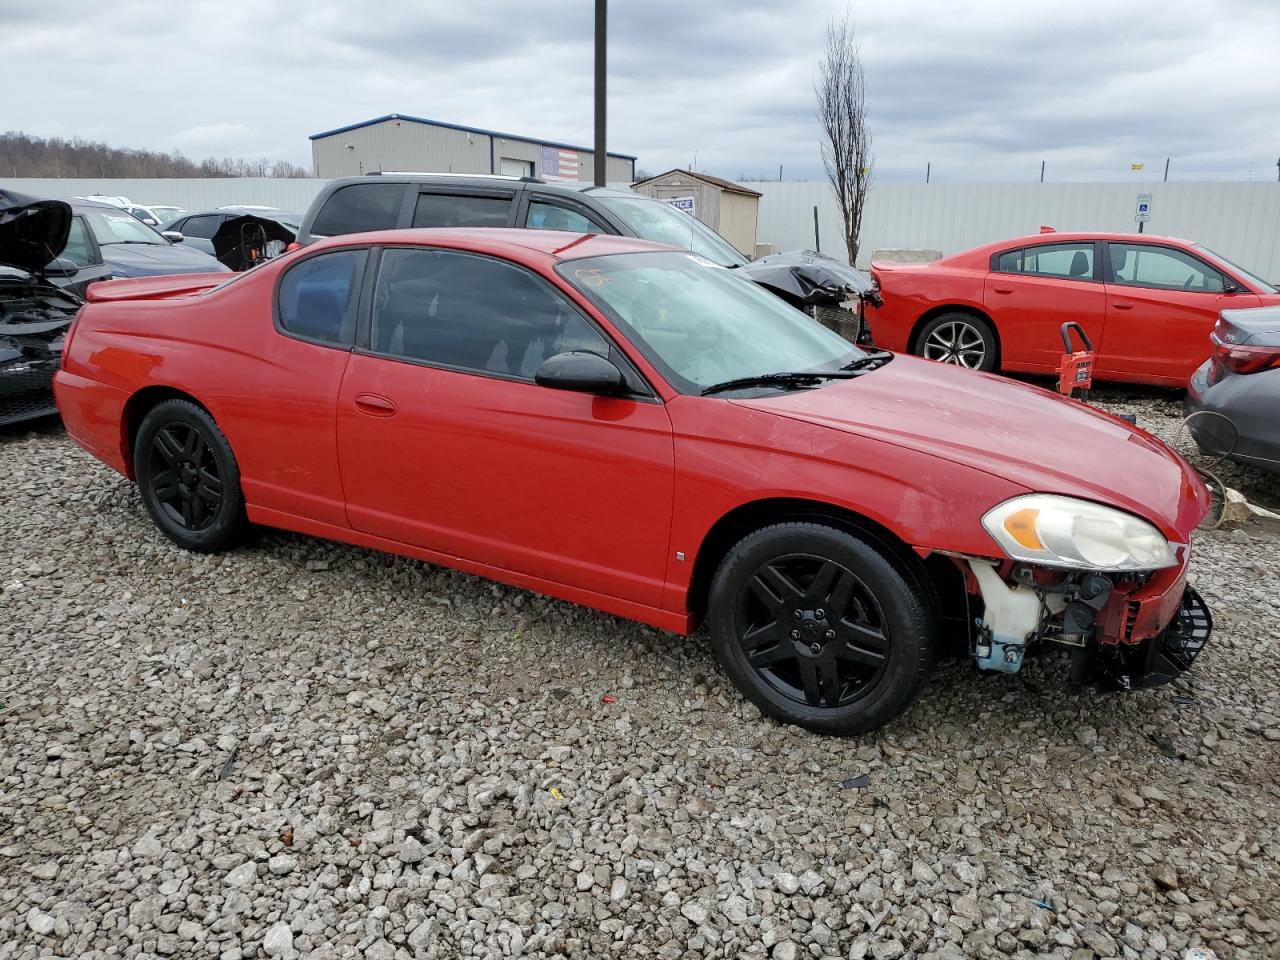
(1240, 221)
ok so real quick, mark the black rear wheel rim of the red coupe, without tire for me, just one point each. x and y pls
(185, 477)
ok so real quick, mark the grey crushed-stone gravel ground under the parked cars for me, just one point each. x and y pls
(304, 749)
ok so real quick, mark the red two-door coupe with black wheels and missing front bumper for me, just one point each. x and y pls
(637, 429)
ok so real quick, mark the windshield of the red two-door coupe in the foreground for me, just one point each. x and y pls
(700, 323)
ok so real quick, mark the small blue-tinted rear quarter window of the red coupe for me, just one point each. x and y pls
(317, 298)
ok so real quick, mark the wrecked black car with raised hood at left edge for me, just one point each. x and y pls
(36, 304)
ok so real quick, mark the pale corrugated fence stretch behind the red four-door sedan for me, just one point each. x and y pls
(1240, 221)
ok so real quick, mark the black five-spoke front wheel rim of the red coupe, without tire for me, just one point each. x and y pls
(812, 630)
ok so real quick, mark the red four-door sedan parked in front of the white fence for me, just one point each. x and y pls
(1148, 304)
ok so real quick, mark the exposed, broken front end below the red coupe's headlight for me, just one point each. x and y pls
(1124, 633)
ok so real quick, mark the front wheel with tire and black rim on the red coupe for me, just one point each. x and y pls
(821, 629)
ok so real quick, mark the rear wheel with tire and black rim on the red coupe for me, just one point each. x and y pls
(189, 477)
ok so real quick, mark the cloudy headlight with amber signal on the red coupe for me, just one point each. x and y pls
(1063, 532)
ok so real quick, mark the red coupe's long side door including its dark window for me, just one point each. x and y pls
(447, 444)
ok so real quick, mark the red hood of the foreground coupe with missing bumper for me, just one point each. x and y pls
(1025, 435)
